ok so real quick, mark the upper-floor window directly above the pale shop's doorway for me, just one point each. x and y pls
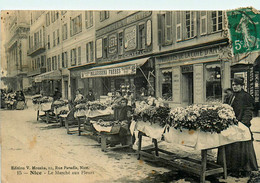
(190, 24)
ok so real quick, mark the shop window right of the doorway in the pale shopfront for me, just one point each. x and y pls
(213, 83)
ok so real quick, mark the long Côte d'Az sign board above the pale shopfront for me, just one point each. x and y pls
(191, 54)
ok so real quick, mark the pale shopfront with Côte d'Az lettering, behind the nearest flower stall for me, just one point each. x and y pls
(193, 76)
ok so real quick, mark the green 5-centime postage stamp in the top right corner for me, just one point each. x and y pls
(244, 27)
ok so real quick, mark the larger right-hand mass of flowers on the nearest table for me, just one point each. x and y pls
(207, 118)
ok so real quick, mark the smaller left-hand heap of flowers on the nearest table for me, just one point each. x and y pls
(153, 111)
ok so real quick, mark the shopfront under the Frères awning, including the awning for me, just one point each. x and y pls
(135, 77)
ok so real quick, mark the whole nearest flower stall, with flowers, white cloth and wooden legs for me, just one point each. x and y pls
(201, 127)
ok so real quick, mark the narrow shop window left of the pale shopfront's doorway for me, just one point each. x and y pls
(167, 86)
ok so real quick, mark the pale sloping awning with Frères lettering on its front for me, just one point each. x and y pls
(118, 69)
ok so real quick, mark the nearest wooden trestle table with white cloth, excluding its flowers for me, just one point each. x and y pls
(198, 140)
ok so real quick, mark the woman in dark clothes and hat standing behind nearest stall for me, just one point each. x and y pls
(240, 156)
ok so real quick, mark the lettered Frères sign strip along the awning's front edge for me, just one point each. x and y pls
(117, 71)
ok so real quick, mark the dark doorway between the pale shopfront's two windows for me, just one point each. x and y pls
(187, 88)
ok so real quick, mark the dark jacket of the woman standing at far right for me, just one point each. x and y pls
(243, 105)
